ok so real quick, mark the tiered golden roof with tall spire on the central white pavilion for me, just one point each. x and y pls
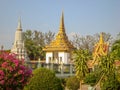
(61, 42)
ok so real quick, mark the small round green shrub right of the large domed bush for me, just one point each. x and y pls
(72, 83)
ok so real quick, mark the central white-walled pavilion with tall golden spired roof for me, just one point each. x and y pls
(59, 50)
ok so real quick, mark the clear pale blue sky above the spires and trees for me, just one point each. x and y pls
(86, 17)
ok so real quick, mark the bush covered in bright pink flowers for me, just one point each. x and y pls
(13, 73)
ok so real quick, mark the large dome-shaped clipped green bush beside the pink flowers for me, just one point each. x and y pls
(44, 79)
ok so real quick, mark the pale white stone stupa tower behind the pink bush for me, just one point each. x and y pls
(18, 46)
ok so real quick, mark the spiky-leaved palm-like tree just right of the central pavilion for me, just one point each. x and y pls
(80, 58)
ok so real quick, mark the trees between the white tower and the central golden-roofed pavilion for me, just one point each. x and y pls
(35, 41)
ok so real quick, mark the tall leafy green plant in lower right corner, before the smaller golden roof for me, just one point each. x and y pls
(108, 77)
